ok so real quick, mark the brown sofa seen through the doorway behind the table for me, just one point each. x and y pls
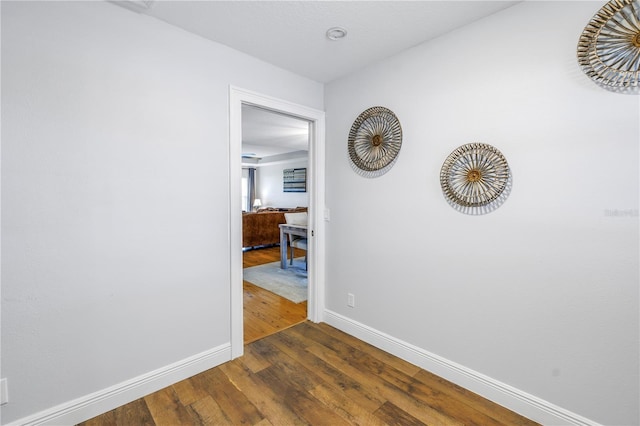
(261, 228)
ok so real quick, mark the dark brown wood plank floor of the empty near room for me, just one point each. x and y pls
(312, 374)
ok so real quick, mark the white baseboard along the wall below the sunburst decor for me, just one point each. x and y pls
(514, 399)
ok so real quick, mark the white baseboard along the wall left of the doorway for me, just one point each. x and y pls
(91, 405)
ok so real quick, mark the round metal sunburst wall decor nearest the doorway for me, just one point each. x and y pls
(375, 139)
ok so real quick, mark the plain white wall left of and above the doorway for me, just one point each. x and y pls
(115, 227)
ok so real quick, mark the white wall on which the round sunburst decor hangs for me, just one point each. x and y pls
(541, 294)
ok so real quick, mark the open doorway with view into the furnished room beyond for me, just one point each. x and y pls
(275, 157)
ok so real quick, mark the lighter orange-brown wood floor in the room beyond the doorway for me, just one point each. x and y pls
(266, 313)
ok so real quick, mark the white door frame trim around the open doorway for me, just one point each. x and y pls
(316, 183)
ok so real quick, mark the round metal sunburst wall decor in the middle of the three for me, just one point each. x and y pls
(475, 178)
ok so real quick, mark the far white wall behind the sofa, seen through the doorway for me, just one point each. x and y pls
(270, 186)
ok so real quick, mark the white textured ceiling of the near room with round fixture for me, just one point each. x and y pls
(292, 34)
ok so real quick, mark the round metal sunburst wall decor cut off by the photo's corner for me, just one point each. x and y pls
(609, 47)
